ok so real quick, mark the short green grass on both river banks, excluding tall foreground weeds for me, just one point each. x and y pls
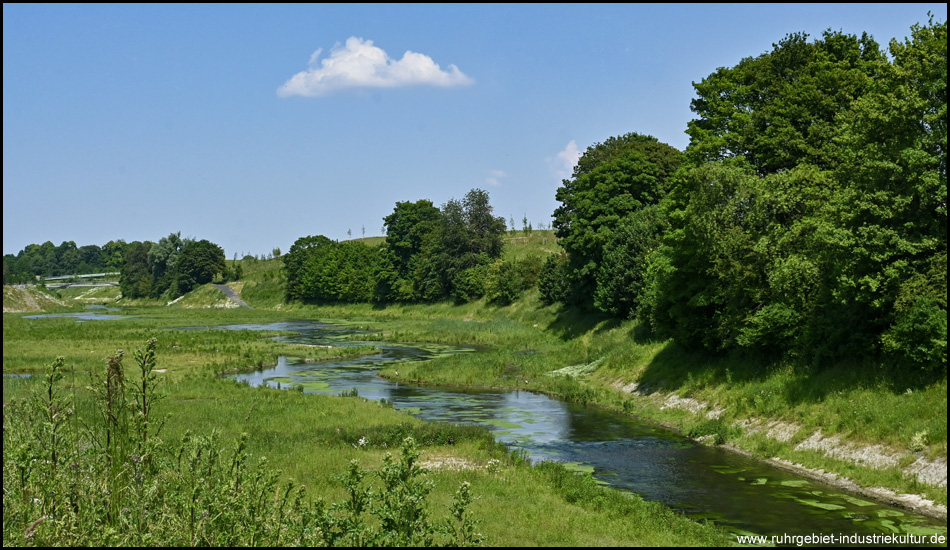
(857, 420)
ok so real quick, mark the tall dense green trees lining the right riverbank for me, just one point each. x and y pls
(807, 217)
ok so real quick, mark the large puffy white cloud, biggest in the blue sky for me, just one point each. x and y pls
(360, 64)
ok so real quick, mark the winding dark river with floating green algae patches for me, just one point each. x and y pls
(706, 483)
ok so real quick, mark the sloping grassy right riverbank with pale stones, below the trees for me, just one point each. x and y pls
(880, 436)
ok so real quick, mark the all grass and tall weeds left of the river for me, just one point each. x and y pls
(310, 439)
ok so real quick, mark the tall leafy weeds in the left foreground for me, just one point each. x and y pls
(111, 481)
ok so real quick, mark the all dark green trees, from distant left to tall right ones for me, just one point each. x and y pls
(806, 219)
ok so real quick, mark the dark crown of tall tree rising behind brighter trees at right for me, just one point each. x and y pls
(779, 109)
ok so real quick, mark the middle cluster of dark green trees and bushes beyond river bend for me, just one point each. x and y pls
(430, 254)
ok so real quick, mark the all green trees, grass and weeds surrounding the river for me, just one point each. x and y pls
(789, 268)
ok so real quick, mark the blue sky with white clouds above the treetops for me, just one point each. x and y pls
(254, 125)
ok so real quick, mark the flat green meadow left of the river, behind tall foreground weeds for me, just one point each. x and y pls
(308, 438)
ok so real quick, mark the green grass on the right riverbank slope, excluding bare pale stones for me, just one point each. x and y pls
(862, 404)
